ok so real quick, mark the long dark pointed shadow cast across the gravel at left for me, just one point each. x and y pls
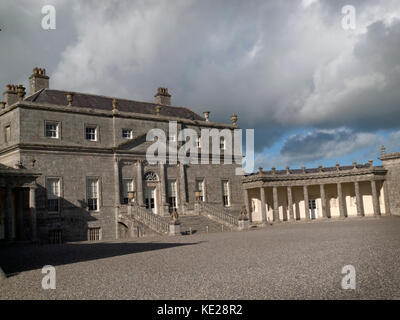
(15, 259)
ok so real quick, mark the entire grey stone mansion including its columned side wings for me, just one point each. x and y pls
(73, 167)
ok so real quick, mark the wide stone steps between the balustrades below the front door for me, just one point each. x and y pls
(199, 224)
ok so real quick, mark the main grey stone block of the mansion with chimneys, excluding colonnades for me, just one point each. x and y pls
(71, 162)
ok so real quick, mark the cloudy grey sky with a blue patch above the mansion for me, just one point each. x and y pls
(314, 91)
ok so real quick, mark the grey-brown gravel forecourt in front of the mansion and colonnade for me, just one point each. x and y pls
(286, 261)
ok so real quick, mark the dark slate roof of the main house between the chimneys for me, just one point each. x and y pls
(84, 100)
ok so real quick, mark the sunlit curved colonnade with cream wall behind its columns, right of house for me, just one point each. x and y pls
(319, 193)
